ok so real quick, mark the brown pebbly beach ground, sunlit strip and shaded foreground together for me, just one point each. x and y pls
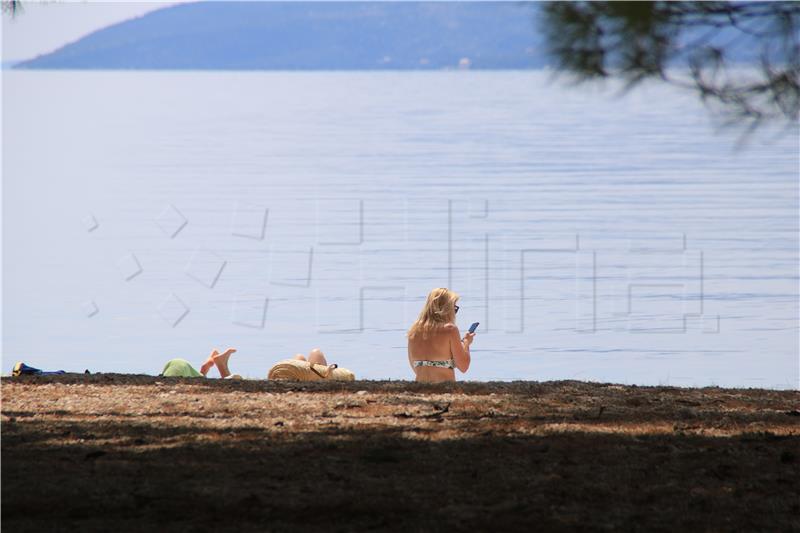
(113, 452)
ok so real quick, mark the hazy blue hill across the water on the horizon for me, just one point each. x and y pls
(312, 36)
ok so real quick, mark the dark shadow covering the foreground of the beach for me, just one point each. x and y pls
(178, 476)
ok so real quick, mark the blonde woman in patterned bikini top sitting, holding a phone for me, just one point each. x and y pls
(435, 346)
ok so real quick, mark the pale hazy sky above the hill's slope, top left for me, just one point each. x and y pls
(43, 26)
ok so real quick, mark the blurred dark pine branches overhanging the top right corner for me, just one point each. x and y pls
(635, 41)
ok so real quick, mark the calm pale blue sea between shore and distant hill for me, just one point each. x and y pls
(151, 215)
